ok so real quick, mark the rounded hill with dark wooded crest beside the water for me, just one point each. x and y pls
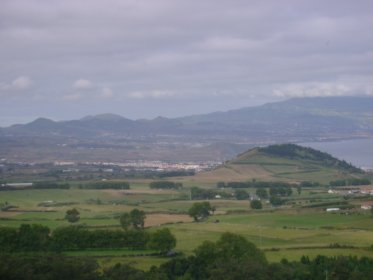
(285, 162)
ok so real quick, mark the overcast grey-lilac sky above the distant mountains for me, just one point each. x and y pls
(144, 58)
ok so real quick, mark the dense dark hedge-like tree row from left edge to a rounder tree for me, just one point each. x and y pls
(39, 238)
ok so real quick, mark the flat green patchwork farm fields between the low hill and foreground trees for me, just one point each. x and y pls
(290, 231)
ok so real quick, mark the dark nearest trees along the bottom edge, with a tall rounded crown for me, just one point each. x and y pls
(231, 257)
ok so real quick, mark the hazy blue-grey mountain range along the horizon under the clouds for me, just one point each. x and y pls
(291, 120)
